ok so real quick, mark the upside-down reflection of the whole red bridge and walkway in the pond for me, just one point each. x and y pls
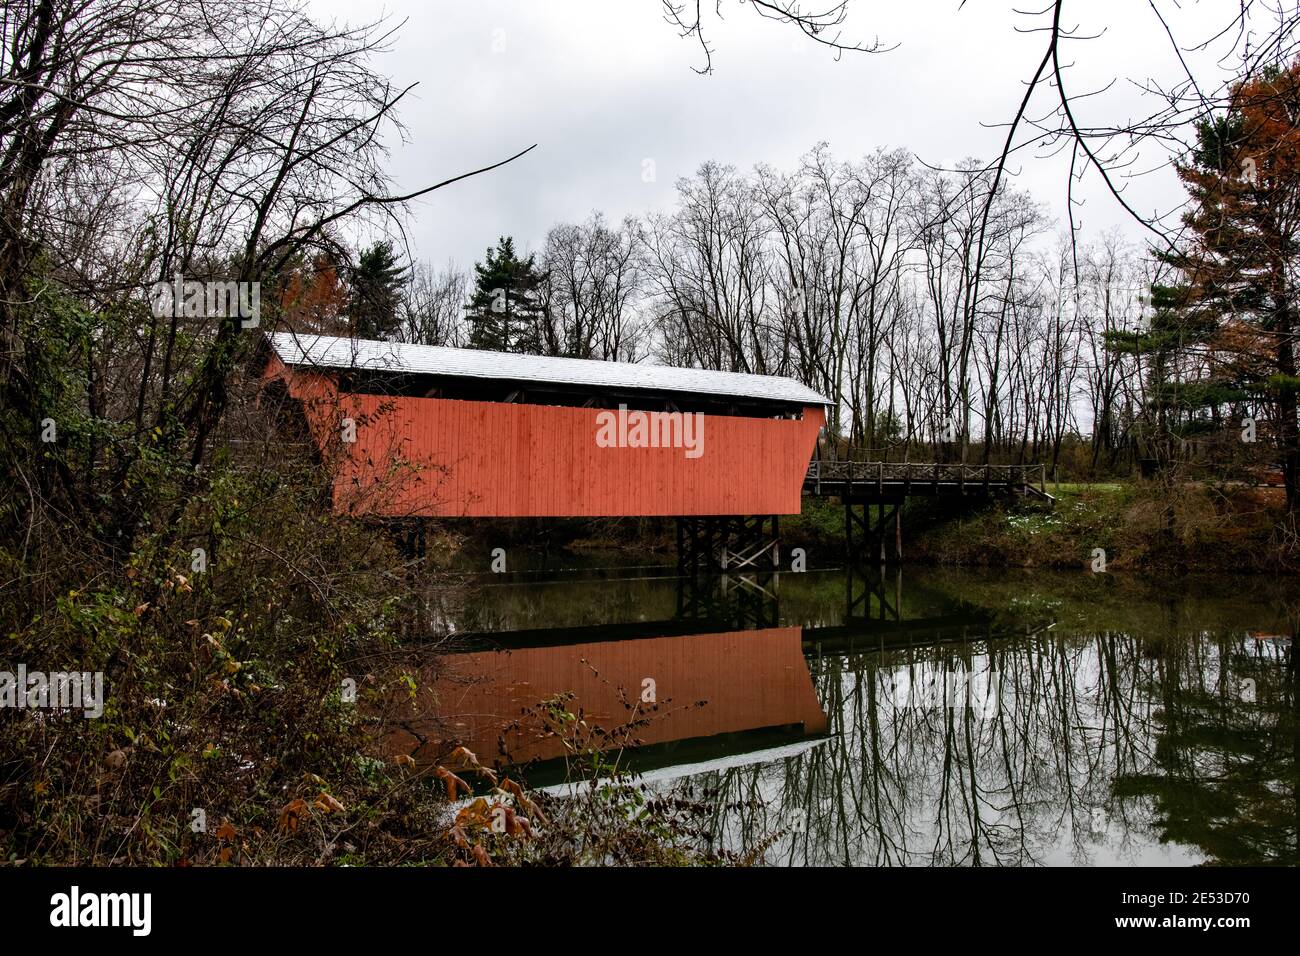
(731, 685)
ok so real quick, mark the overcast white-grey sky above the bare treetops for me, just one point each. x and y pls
(604, 85)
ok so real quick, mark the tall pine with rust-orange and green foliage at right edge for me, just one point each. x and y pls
(1233, 314)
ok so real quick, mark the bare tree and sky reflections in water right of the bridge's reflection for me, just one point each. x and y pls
(1103, 746)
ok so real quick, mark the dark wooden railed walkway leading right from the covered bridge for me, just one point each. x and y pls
(895, 481)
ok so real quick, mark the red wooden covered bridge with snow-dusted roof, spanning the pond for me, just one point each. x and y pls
(423, 431)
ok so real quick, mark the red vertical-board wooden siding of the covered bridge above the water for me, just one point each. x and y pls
(430, 457)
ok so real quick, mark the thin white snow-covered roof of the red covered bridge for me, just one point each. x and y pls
(330, 352)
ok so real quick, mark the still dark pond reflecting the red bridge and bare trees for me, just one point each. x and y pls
(918, 717)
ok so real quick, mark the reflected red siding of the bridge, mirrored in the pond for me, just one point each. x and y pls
(747, 681)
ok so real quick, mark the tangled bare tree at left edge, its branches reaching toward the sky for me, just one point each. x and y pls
(145, 140)
